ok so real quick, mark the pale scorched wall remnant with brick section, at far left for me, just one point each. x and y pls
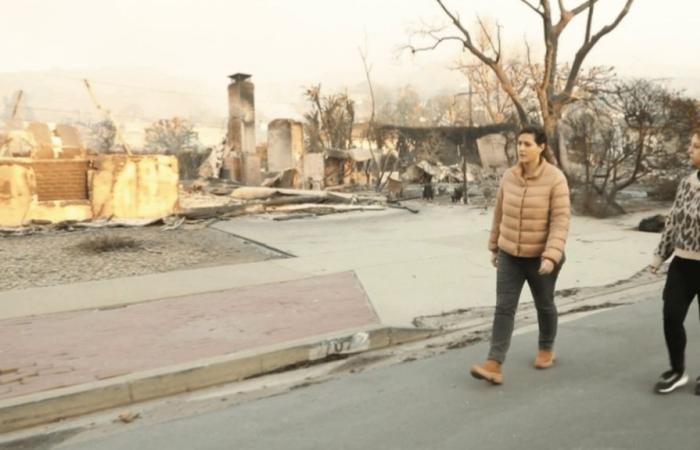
(55, 182)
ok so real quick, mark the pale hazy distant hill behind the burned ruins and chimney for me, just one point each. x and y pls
(144, 95)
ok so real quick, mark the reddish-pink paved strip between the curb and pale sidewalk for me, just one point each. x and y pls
(50, 351)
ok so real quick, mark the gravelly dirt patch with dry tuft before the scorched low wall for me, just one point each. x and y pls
(70, 257)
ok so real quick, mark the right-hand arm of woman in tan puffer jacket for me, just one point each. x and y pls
(559, 219)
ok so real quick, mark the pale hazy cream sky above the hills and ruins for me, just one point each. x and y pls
(286, 42)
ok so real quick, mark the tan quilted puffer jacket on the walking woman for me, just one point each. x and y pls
(532, 214)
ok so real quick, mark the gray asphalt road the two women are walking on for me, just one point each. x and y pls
(598, 396)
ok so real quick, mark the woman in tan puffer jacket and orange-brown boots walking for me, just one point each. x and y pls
(529, 230)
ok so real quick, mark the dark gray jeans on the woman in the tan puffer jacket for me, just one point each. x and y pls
(511, 275)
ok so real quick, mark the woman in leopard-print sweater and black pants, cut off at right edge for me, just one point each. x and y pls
(681, 237)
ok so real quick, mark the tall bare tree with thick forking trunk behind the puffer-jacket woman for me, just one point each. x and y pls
(552, 100)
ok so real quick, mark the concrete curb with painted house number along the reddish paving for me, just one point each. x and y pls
(54, 405)
